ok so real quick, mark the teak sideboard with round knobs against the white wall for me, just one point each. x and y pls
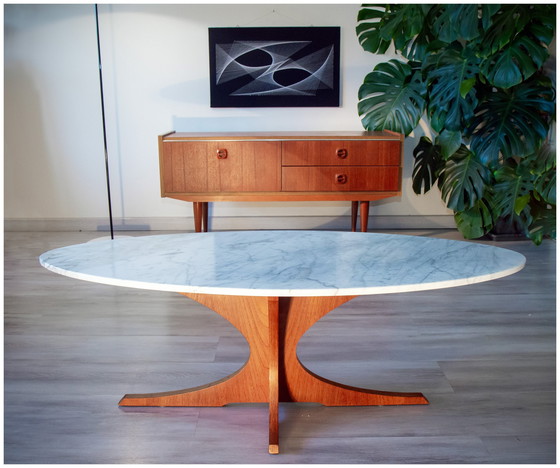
(298, 166)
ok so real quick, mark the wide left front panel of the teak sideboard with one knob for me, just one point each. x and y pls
(214, 166)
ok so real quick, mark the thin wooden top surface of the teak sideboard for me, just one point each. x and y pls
(281, 136)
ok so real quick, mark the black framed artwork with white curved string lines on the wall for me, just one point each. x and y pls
(275, 67)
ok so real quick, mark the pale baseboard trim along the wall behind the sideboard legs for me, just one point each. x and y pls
(227, 223)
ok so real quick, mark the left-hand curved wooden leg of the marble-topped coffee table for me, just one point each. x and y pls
(250, 383)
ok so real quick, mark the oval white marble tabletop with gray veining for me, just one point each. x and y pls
(283, 263)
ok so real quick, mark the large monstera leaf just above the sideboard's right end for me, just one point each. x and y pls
(392, 98)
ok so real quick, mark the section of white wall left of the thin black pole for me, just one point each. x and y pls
(53, 151)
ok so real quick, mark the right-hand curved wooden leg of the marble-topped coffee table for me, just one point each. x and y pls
(298, 314)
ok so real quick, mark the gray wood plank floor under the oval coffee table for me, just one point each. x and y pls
(484, 355)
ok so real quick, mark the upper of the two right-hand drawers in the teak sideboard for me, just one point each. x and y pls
(341, 153)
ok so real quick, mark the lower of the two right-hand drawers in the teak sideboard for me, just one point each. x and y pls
(341, 179)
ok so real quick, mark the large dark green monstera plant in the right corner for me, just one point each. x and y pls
(475, 73)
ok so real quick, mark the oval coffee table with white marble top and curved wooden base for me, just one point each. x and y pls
(273, 286)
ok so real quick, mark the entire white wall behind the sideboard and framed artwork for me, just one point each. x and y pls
(156, 79)
